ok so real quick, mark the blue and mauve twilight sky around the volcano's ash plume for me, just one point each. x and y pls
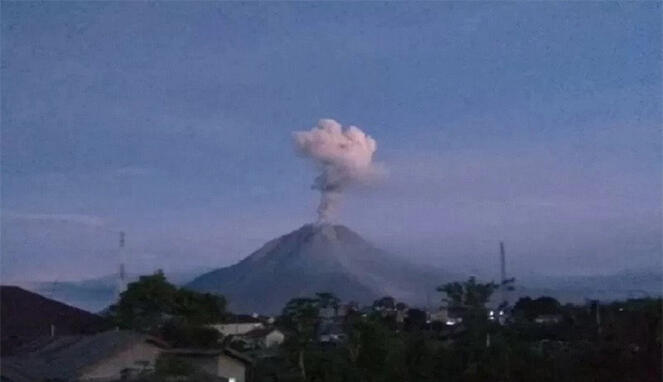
(535, 123)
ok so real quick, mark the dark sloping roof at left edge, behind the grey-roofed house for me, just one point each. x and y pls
(26, 316)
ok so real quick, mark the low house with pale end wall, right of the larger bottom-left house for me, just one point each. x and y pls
(224, 363)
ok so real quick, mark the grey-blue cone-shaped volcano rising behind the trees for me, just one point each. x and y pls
(319, 258)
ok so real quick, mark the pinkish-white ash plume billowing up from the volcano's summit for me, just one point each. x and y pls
(344, 156)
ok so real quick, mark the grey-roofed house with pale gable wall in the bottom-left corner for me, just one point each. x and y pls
(106, 356)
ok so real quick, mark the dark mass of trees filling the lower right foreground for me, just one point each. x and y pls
(624, 345)
